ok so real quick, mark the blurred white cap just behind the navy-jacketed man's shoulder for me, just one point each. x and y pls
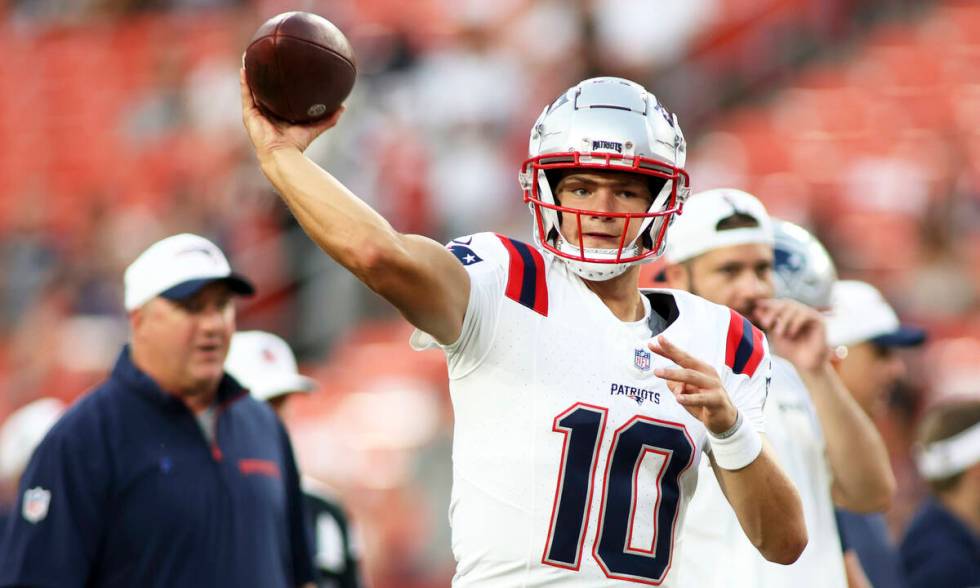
(264, 363)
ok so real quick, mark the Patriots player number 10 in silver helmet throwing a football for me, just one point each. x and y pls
(582, 406)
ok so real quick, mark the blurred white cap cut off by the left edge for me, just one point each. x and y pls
(23, 431)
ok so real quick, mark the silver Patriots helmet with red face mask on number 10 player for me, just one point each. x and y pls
(608, 124)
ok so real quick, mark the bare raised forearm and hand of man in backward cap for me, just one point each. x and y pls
(863, 478)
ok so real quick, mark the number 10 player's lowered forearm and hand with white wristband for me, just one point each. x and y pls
(764, 499)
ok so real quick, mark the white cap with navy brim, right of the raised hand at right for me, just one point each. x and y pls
(860, 313)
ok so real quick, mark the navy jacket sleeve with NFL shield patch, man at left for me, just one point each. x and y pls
(60, 546)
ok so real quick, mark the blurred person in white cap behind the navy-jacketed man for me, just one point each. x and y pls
(264, 363)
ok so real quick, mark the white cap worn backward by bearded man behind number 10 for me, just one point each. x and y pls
(695, 231)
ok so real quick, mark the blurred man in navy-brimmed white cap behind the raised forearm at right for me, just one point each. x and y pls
(865, 333)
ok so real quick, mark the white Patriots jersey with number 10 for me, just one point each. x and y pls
(572, 463)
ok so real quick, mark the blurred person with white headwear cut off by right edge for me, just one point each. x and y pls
(942, 544)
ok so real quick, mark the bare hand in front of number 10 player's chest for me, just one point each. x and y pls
(696, 386)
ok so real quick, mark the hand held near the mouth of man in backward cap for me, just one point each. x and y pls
(795, 331)
